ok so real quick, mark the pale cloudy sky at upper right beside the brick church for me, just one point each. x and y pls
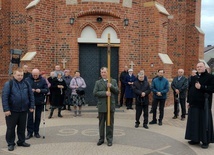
(207, 21)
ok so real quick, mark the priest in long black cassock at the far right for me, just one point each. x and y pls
(200, 124)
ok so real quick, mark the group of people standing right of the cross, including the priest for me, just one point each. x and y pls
(196, 91)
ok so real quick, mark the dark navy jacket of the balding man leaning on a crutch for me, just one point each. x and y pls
(41, 84)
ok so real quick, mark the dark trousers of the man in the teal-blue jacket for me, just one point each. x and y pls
(161, 103)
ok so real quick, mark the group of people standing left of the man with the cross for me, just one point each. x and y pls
(25, 96)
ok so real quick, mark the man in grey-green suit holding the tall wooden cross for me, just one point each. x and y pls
(100, 91)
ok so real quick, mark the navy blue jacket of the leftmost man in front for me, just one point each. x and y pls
(18, 98)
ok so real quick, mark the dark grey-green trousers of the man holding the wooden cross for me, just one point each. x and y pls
(103, 125)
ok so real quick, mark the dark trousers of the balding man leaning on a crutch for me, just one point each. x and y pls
(33, 124)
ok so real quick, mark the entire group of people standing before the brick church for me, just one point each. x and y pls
(23, 97)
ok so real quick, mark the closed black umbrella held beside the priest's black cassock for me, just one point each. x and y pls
(206, 107)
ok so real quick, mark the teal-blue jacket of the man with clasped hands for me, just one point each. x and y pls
(160, 84)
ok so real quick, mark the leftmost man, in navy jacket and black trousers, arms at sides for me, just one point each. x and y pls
(17, 99)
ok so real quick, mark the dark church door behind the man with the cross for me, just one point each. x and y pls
(91, 59)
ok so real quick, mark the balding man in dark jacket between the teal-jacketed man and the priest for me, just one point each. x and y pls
(179, 86)
